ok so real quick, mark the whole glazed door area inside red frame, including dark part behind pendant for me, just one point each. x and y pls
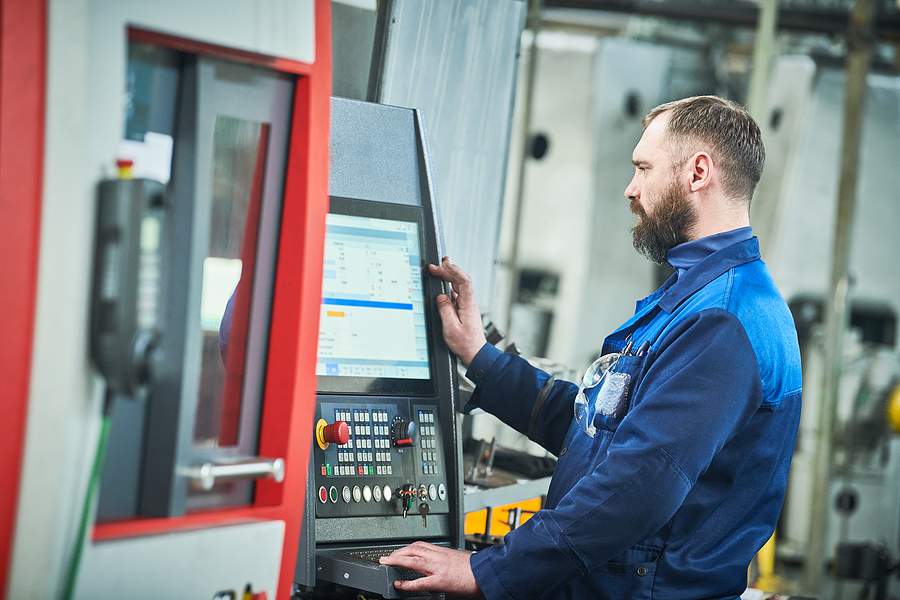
(200, 420)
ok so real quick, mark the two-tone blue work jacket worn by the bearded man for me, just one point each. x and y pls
(684, 481)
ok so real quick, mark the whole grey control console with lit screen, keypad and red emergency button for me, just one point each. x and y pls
(386, 460)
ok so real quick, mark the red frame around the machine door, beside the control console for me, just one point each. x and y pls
(289, 400)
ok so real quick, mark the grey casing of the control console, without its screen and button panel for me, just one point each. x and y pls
(378, 153)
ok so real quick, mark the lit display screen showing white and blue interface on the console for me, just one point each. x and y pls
(372, 320)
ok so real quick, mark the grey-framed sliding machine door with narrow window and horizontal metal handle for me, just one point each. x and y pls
(228, 177)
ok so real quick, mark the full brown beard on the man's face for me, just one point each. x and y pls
(670, 224)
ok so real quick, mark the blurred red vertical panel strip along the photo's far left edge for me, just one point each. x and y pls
(23, 43)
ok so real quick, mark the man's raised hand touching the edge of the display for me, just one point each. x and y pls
(460, 317)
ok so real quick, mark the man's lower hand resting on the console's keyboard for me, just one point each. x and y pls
(445, 570)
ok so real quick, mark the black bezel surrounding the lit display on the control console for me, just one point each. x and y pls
(385, 386)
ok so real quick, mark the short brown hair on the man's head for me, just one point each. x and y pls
(723, 128)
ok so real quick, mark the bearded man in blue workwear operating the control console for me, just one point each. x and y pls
(675, 449)
